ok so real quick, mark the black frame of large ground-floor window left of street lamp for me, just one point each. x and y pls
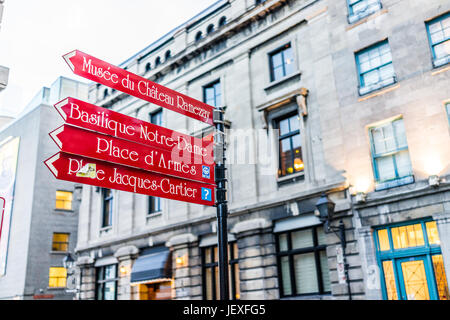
(290, 253)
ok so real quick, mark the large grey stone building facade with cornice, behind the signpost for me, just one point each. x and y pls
(343, 98)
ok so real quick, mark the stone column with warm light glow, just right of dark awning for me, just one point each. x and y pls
(187, 269)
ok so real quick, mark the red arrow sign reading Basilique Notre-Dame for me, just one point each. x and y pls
(89, 116)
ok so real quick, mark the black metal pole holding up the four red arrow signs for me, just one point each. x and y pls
(222, 208)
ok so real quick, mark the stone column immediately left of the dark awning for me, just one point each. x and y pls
(126, 256)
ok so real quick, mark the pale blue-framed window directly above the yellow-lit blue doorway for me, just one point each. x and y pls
(390, 155)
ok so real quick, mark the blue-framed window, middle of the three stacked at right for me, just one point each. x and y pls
(375, 68)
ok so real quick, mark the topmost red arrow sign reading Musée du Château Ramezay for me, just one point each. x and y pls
(117, 78)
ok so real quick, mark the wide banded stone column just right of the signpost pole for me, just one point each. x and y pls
(257, 260)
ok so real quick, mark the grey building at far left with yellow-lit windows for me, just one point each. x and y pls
(39, 226)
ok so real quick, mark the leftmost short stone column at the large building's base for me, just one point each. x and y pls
(86, 283)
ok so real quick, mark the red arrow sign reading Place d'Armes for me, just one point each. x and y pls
(102, 147)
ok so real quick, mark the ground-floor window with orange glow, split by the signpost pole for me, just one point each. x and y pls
(210, 258)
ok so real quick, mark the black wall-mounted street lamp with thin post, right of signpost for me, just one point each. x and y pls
(325, 210)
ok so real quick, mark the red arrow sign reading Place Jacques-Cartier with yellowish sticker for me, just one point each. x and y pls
(112, 176)
